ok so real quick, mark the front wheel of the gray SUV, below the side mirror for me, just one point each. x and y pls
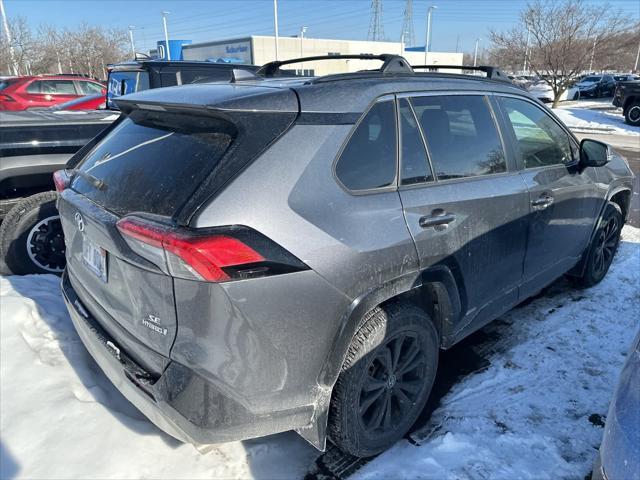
(602, 248)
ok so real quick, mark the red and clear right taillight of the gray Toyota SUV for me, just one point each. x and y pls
(214, 255)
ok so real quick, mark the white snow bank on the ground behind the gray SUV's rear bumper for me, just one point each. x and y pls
(60, 417)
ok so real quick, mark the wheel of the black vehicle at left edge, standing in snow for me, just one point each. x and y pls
(31, 239)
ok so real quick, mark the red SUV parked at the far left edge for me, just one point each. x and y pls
(22, 93)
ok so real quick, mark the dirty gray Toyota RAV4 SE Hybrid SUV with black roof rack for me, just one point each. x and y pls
(292, 253)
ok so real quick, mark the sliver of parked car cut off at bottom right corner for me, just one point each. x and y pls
(619, 455)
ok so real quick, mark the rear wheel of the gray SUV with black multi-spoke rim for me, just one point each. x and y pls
(385, 380)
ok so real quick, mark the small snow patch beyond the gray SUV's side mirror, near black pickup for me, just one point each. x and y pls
(590, 119)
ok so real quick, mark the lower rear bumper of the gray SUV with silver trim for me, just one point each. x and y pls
(179, 402)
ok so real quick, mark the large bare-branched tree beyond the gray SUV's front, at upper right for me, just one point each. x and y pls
(564, 36)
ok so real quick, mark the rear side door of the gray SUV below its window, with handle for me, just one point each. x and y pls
(485, 241)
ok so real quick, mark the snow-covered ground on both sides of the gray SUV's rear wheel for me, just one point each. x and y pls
(532, 412)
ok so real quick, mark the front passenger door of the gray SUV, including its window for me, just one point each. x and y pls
(564, 200)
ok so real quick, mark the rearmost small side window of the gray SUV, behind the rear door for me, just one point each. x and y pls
(369, 159)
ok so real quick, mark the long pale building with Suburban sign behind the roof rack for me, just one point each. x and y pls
(259, 50)
